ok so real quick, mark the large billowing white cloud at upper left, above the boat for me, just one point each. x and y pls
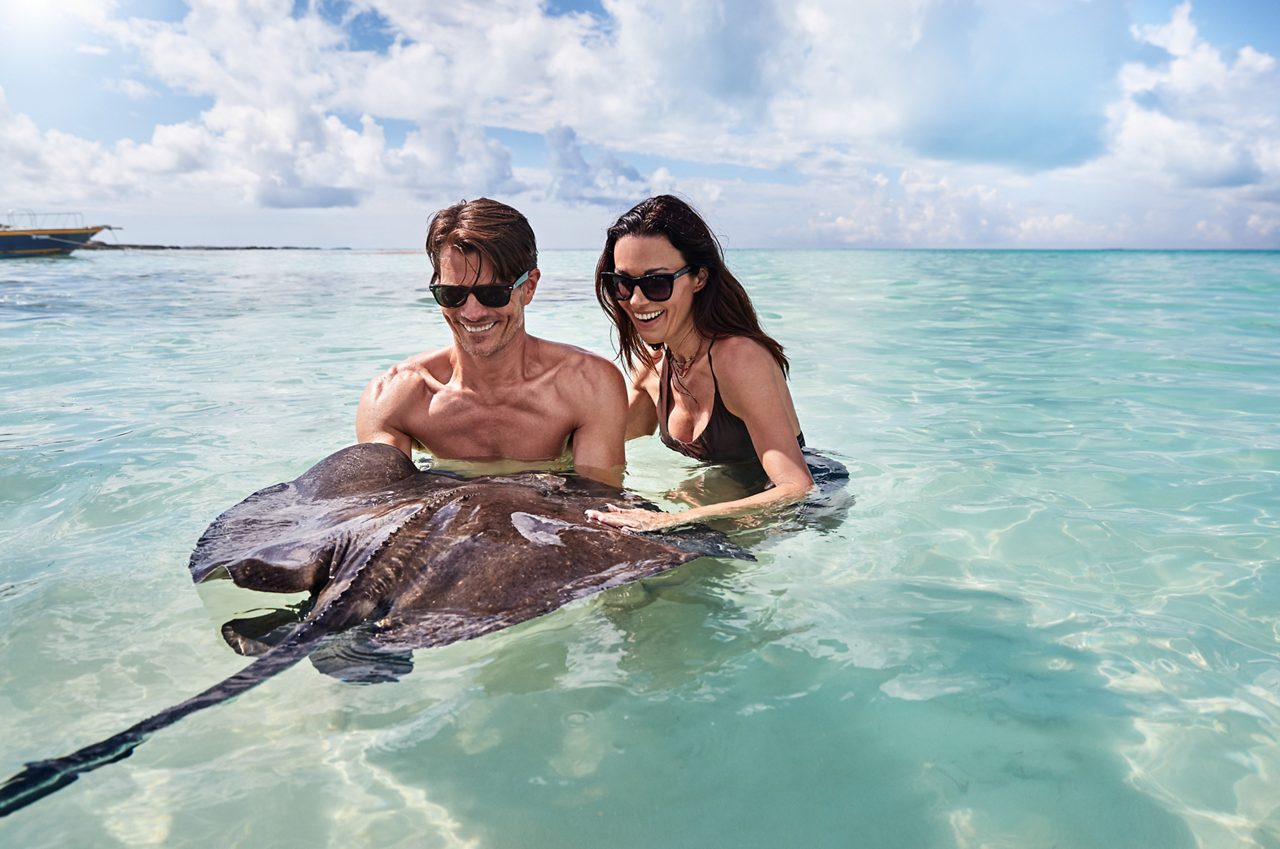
(275, 135)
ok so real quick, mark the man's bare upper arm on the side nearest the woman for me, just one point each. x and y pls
(601, 399)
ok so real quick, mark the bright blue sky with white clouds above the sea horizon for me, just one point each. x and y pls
(789, 125)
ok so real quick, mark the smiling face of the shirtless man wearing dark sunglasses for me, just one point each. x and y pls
(478, 330)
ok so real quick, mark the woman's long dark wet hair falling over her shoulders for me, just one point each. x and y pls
(721, 308)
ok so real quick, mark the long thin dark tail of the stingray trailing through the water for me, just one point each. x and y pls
(43, 778)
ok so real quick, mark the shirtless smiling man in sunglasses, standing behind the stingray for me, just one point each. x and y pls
(496, 394)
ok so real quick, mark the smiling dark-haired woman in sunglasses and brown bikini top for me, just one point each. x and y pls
(703, 372)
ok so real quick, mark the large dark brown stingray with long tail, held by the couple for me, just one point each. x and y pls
(395, 559)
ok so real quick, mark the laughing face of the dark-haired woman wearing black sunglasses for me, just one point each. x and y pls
(657, 322)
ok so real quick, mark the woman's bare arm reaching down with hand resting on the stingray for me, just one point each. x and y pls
(753, 389)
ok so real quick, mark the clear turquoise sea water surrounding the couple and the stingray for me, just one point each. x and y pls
(1050, 619)
